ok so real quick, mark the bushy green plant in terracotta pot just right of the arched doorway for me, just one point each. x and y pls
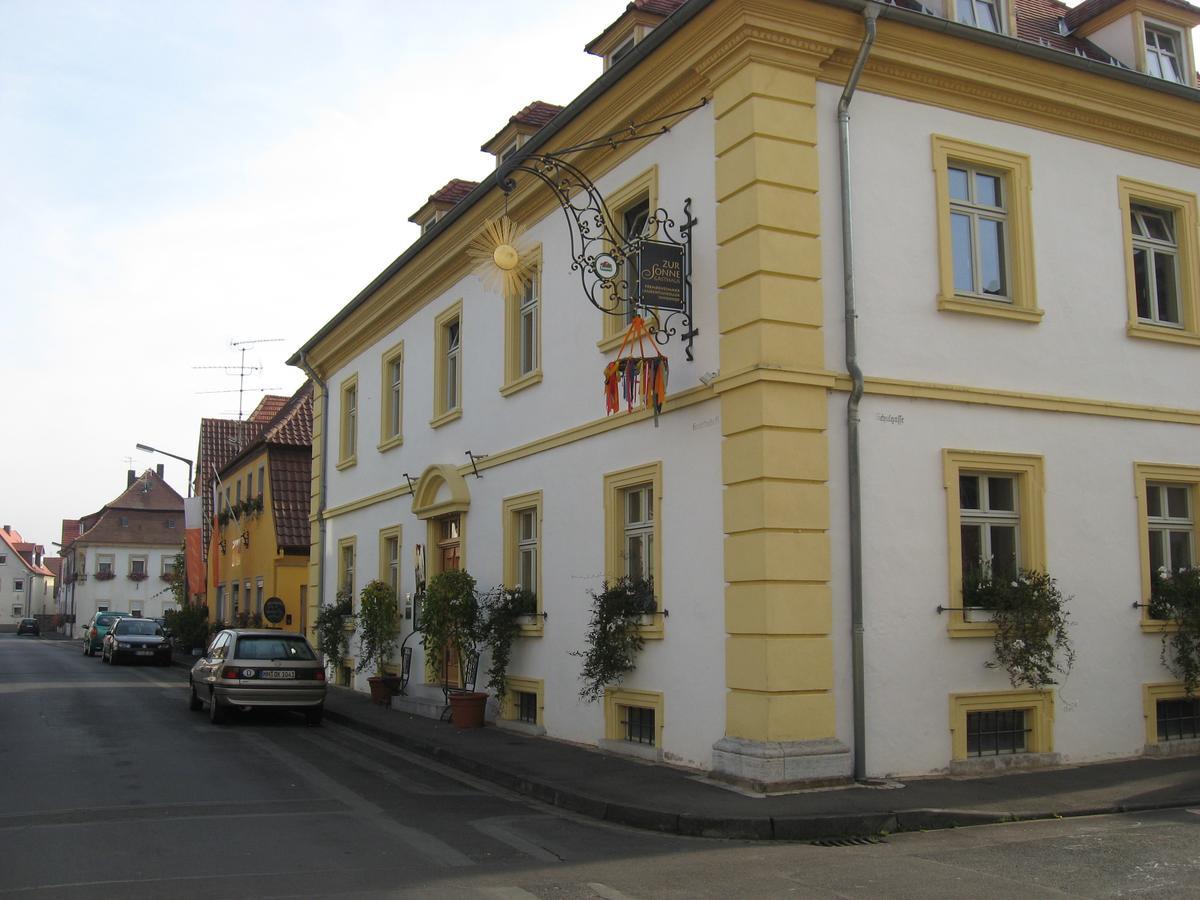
(452, 625)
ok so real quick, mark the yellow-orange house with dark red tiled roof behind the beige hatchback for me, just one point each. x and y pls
(260, 551)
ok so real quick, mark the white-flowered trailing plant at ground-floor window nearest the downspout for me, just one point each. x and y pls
(1030, 615)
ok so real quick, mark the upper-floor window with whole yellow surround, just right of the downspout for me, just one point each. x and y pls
(985, 231)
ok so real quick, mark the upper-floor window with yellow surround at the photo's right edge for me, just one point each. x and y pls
(1162, 253)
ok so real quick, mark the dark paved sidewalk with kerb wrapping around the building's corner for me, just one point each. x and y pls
(669, 800)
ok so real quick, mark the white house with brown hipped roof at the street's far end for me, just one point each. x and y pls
(121, 559)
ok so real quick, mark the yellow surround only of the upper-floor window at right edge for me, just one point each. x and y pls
(1187, 227)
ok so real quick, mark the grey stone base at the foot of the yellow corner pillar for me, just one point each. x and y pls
(775, 766)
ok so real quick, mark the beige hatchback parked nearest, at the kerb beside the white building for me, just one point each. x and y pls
(254, 669)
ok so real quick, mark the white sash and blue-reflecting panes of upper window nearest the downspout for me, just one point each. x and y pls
(980, 232)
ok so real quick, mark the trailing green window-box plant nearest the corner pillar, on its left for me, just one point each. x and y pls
(615, 635)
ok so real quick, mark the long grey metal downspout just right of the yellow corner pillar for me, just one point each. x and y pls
(855, 477)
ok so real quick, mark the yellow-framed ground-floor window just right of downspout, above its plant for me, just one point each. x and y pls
(995, 524)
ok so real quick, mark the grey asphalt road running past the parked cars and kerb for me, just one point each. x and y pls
(112, 788)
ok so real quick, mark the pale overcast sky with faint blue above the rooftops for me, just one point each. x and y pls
(176, 177)
